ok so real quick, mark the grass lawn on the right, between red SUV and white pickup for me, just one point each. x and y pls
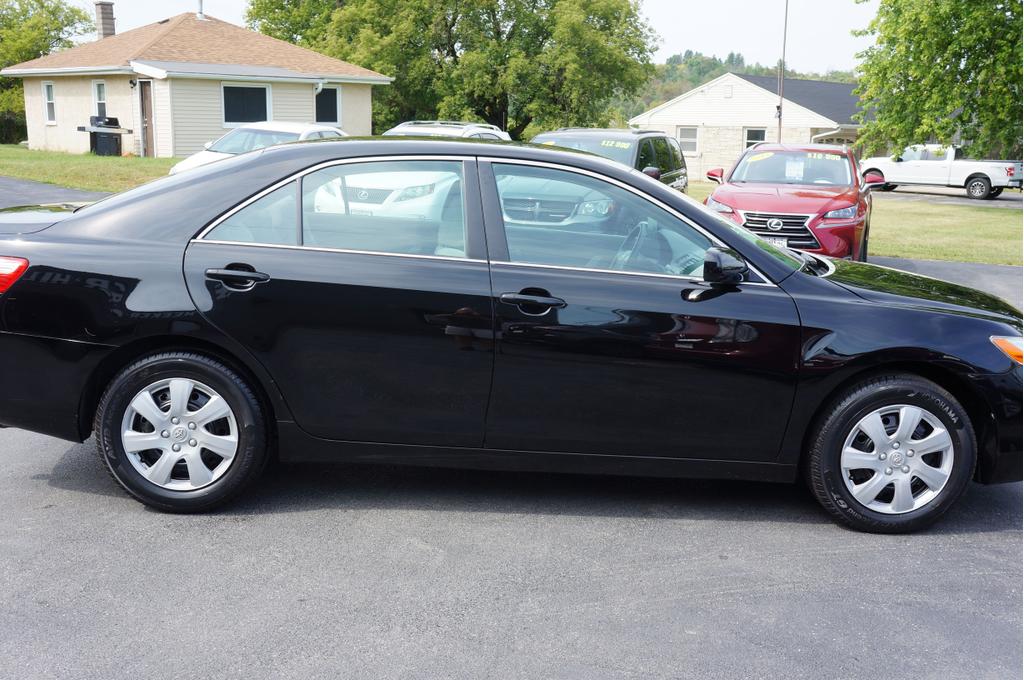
(924, 231)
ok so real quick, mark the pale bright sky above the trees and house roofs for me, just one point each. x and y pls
(819, 33)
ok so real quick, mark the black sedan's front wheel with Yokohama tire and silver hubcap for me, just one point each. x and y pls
(891, 455)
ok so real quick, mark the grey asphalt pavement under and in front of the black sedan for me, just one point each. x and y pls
(364, 572)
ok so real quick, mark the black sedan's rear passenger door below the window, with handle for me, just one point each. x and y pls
(365, 348)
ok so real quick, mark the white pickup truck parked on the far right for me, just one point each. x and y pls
(936, 165)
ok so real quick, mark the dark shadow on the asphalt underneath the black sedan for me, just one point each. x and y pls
(346, 487)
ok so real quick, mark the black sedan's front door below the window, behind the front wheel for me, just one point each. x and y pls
(634, 364)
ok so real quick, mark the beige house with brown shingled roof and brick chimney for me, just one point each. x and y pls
(182, 82)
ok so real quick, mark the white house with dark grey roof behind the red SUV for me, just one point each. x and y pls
(718, 120)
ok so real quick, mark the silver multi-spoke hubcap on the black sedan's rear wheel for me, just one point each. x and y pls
(180, 435)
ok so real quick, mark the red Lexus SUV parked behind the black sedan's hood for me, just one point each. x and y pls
(809, 197)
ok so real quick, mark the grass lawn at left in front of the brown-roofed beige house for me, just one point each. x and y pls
(93, 174)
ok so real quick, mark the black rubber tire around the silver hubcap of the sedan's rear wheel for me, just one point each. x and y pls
(245, 467)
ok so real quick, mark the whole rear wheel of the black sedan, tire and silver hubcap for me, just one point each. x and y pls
(182, 433)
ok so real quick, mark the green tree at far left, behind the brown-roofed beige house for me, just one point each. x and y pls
(30, 29)
